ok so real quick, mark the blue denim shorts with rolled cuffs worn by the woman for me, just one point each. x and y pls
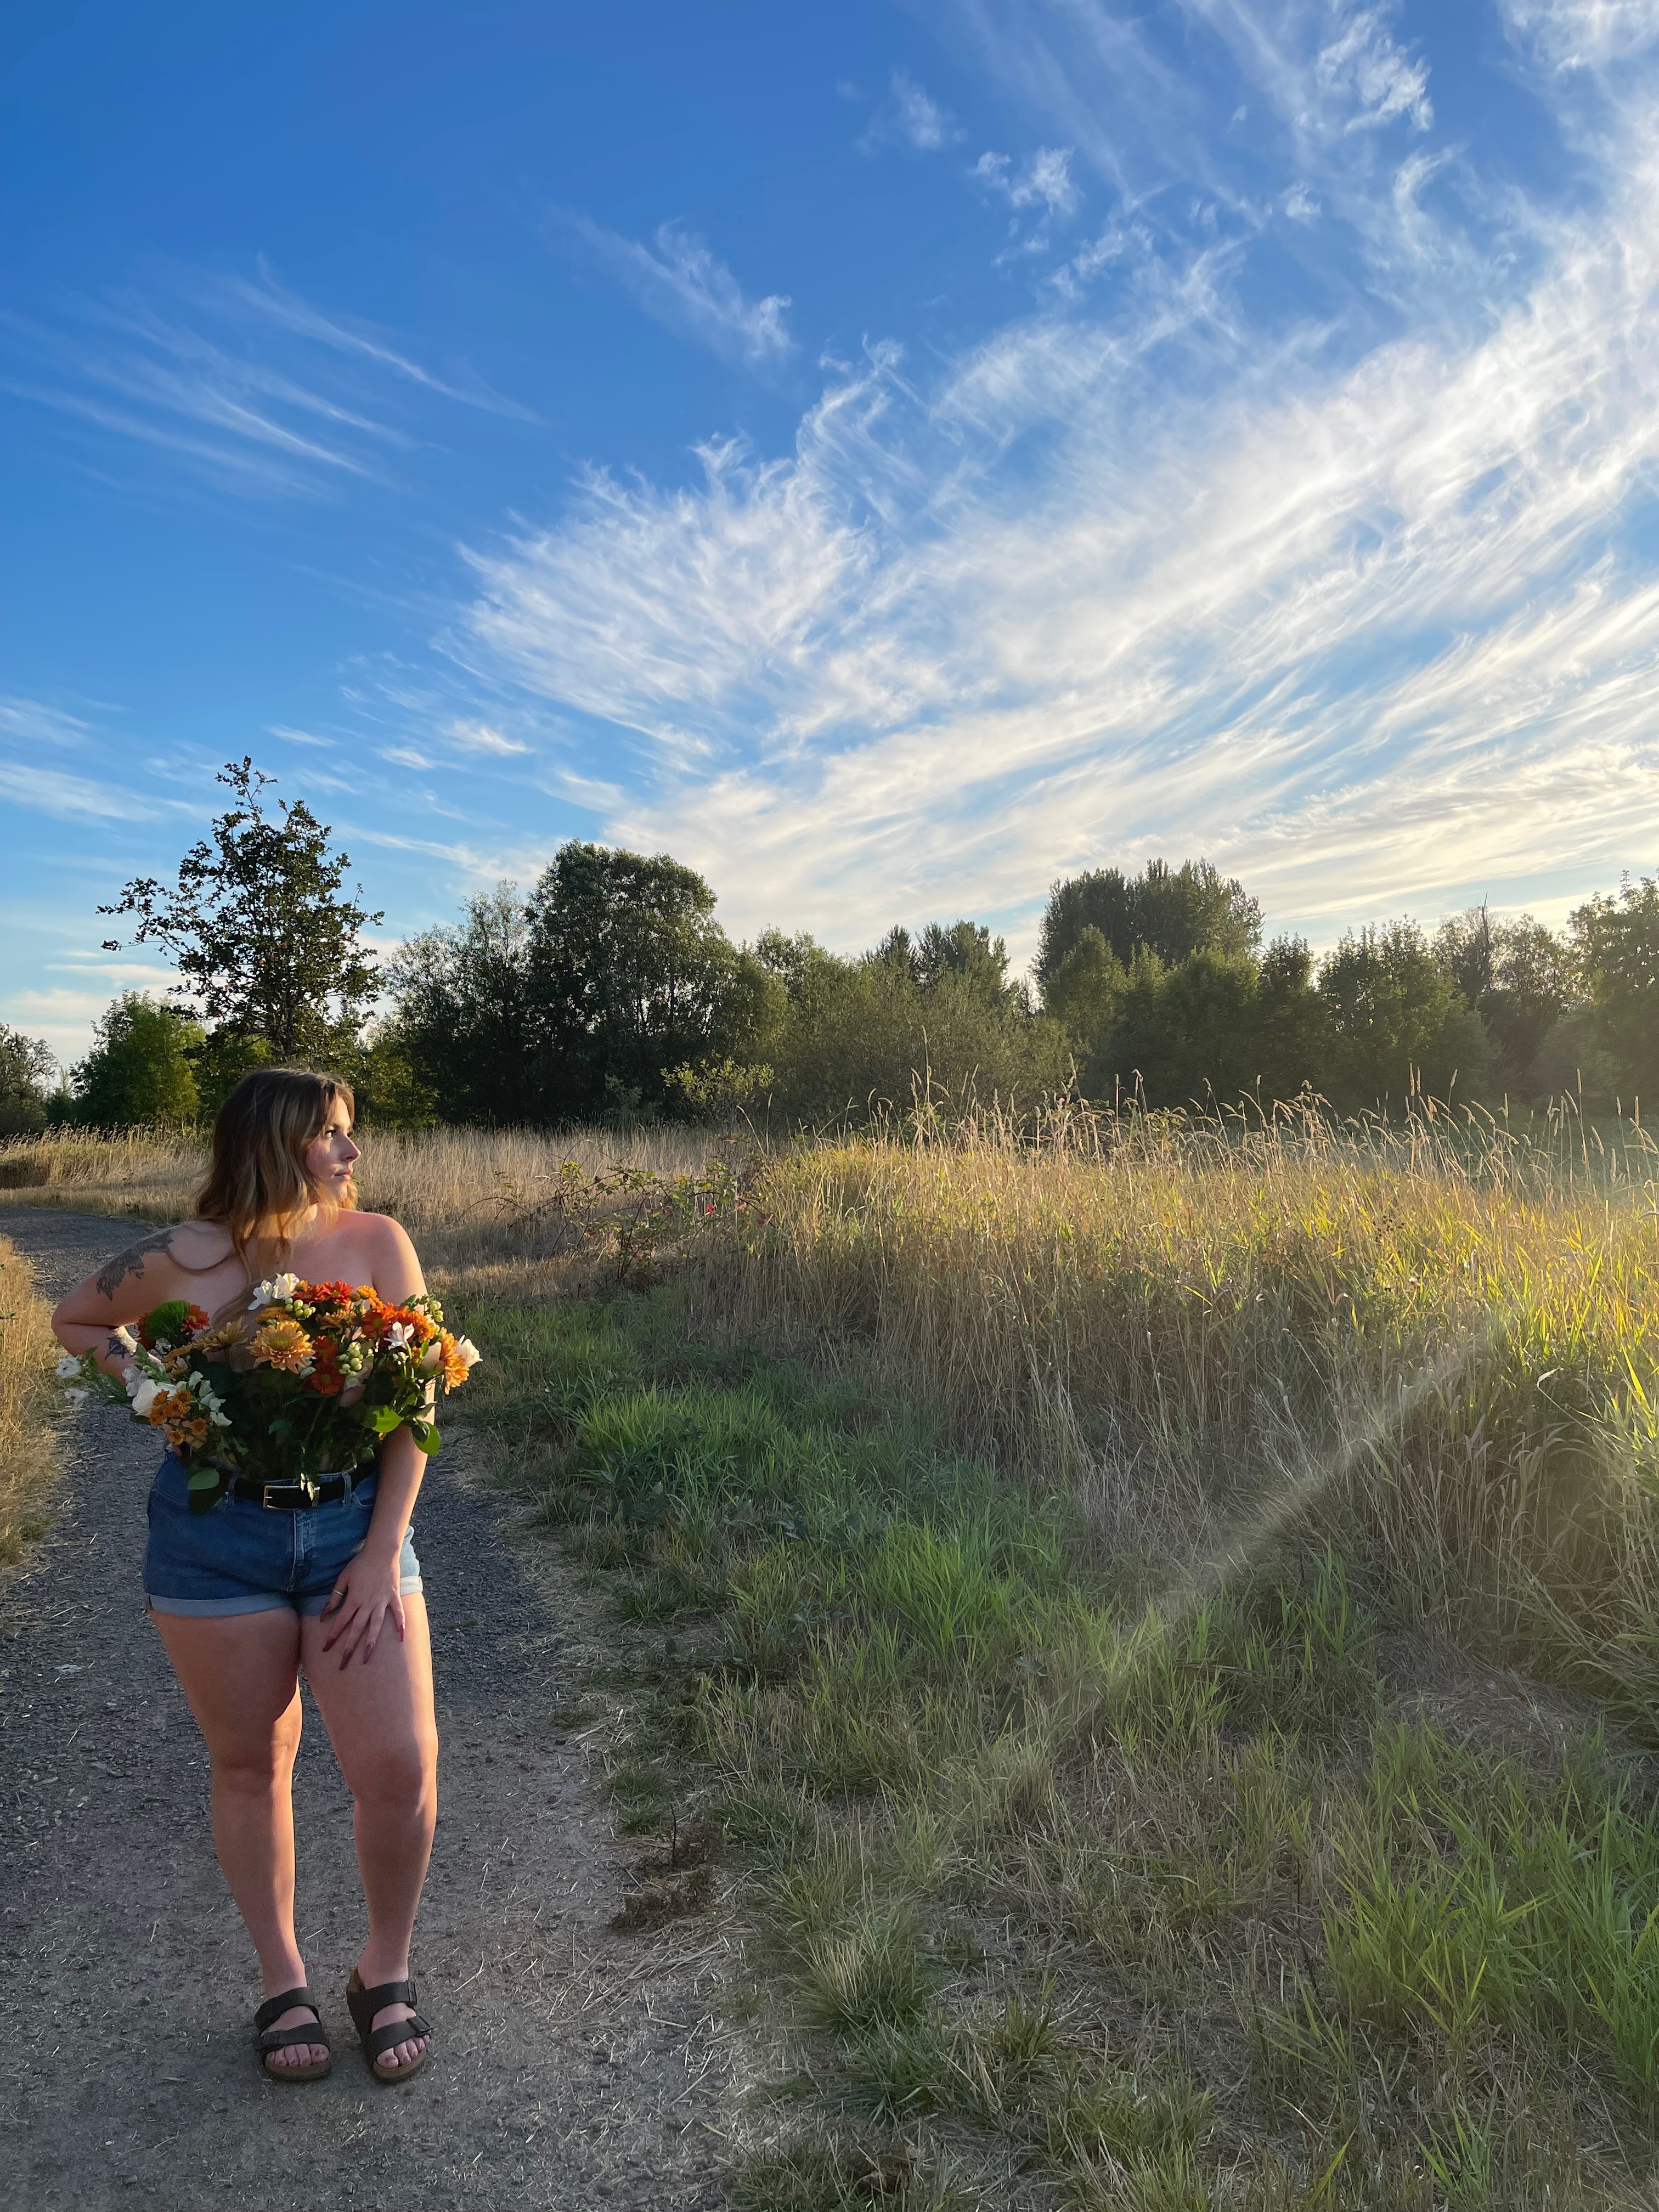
(251, 1558)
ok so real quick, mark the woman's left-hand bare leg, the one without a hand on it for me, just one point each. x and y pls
(240, 1676)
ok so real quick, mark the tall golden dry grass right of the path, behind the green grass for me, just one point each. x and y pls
(1448, 1342)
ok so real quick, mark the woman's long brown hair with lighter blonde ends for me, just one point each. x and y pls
(258, 1185)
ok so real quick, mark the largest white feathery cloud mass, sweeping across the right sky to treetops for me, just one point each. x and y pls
(1359, 614)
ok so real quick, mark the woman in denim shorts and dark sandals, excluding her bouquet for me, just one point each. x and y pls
(267, 1585)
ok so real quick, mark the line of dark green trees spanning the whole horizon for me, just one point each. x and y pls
(609, 992)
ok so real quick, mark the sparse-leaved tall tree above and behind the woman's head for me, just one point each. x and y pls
(269, 950)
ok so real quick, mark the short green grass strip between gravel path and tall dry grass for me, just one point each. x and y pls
(1072, 1897)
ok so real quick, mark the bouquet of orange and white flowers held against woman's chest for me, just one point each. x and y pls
(304, 1384)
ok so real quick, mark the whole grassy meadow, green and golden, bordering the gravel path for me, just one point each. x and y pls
(1160, 1625)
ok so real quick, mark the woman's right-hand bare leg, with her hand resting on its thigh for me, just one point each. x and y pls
(386, 1740)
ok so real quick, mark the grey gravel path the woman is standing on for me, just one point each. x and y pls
(574, 2067)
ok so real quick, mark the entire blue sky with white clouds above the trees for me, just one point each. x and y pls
(890, 457)
